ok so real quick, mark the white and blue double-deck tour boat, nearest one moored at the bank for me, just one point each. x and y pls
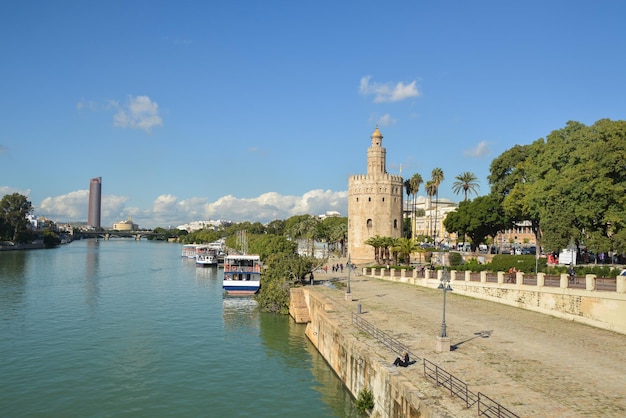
(242, 274)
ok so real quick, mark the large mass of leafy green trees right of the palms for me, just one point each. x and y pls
(570, 186)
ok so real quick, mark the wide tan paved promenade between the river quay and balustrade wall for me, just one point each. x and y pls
(535, 365)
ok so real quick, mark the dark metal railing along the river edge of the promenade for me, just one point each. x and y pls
(487, 407)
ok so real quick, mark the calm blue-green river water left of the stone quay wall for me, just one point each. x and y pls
(129, 328)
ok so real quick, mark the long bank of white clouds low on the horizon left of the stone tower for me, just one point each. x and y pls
(167, 210)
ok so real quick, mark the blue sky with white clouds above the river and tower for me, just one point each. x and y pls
(262, 110)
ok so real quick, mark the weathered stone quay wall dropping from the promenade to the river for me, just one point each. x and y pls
(359, 364)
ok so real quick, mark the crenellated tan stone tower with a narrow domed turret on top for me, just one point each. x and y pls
(374, 203)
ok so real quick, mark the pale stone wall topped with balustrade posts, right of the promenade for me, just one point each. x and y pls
(587, 305)
